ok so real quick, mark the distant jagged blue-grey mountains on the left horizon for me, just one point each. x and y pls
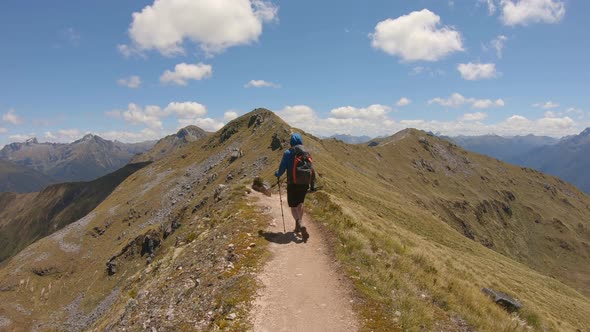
(83, 160)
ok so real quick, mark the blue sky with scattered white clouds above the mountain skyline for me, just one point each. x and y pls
(364, 68)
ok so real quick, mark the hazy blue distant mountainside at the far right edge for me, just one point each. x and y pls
(569, 159)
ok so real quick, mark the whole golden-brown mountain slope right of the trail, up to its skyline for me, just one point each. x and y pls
(423, 207)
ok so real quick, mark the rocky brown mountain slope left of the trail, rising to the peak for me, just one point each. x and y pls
(173, 213)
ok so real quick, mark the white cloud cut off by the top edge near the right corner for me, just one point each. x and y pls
(524, 12)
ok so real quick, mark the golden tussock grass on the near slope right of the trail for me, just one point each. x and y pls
(406, 259)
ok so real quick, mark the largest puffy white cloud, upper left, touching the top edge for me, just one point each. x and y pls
(214, 25)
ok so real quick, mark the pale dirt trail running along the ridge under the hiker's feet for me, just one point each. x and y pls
(302, 289)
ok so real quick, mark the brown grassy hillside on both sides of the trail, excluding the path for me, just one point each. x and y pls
(418, 225)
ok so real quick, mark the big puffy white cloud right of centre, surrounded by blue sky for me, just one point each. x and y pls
(416, 36)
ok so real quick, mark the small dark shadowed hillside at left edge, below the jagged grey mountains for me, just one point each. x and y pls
(15, 178)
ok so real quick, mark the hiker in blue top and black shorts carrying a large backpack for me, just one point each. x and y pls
(298, 178)
